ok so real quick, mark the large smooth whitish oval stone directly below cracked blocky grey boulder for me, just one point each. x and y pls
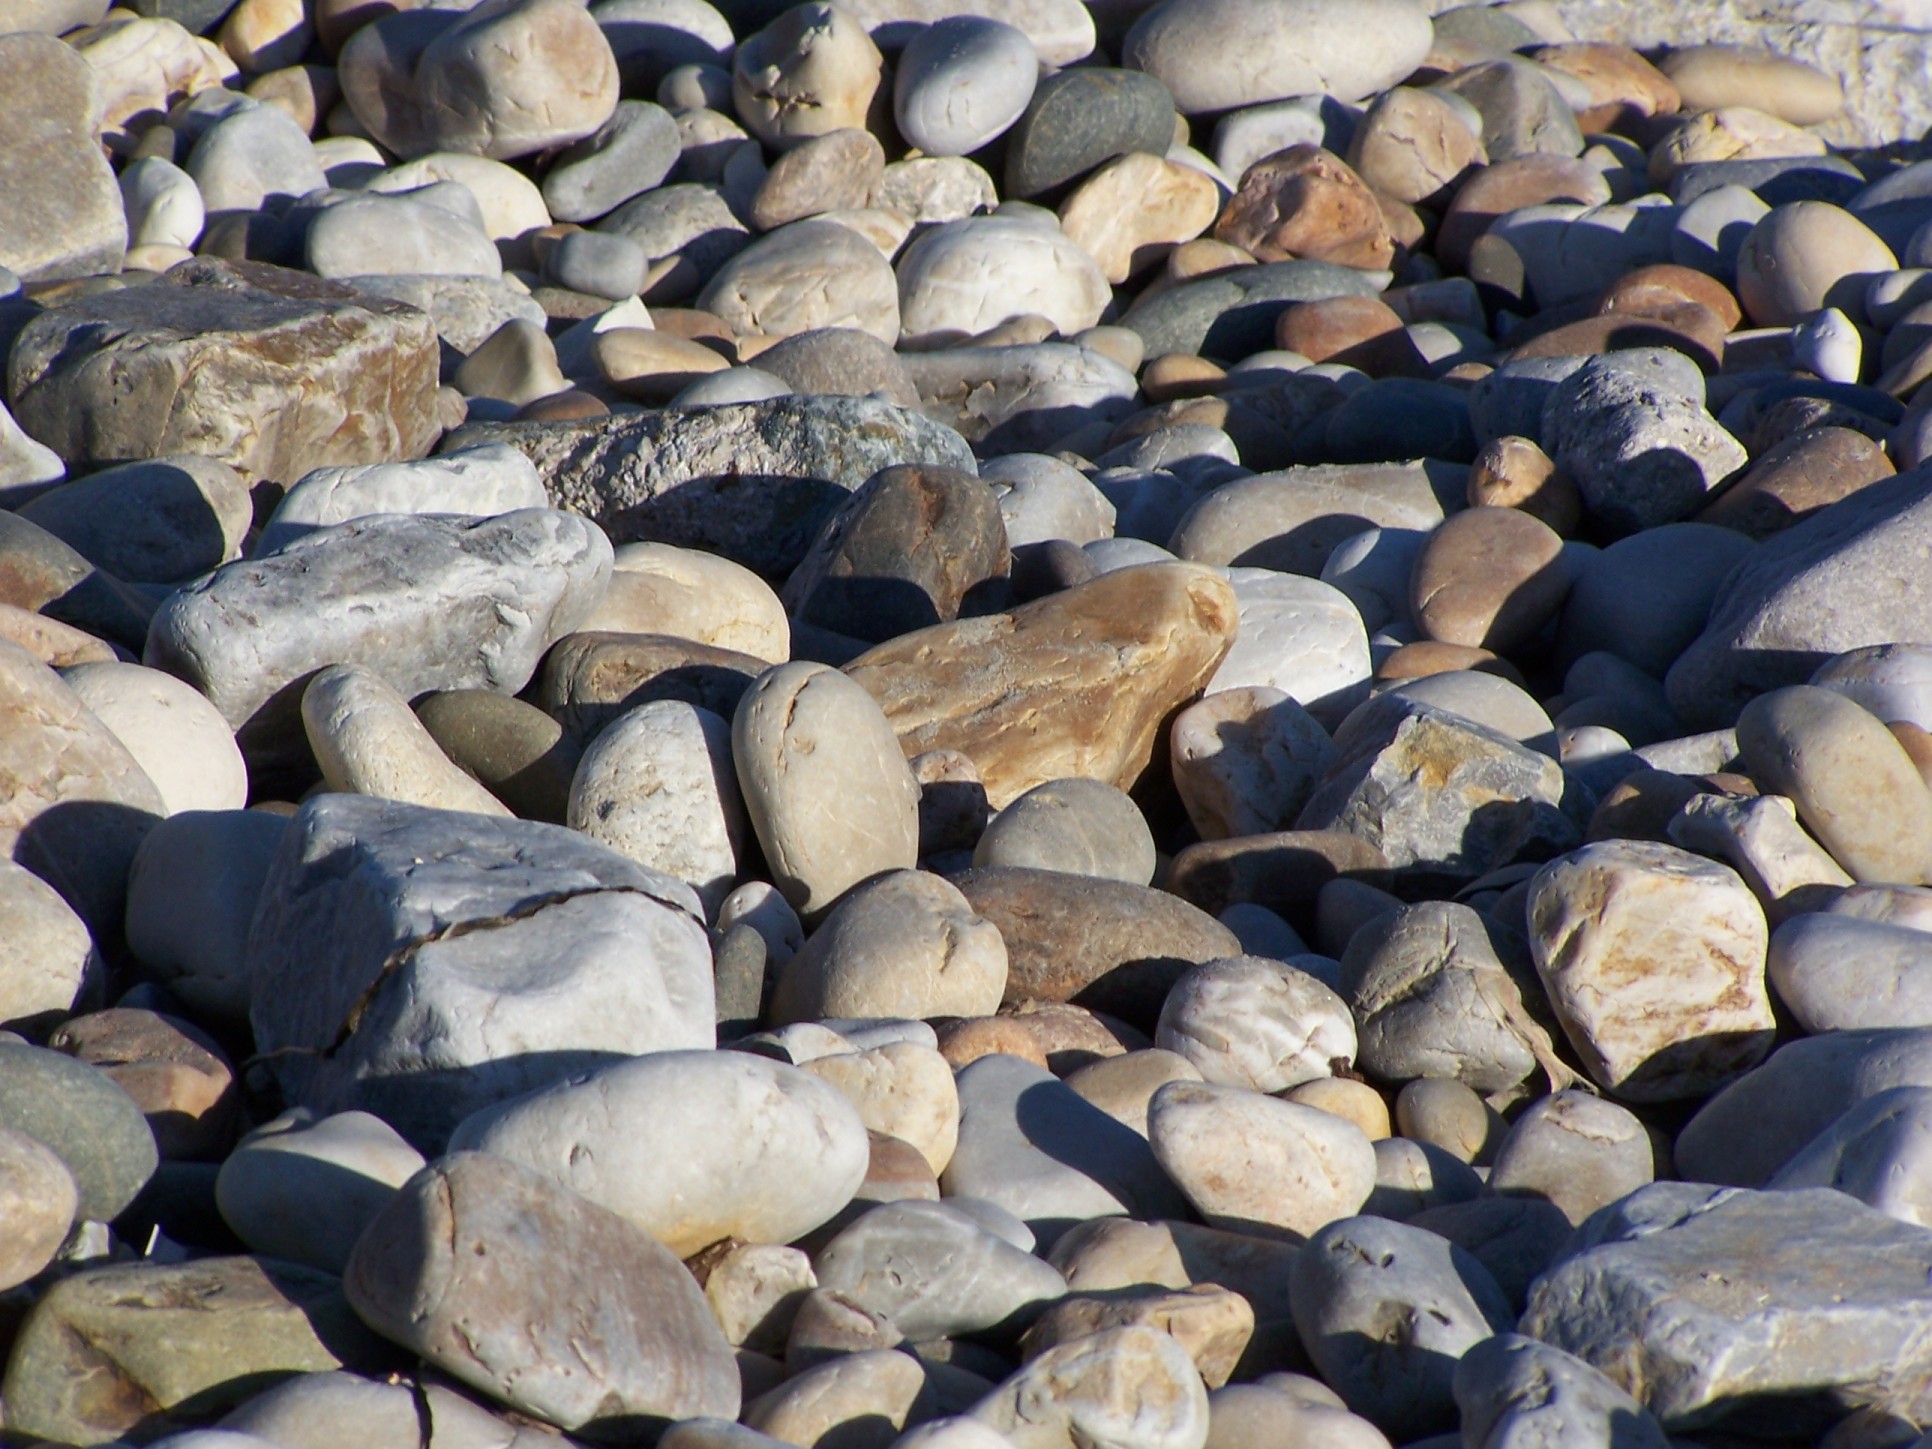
(693, 1147)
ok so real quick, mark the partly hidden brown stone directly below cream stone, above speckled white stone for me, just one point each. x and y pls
(590, 679)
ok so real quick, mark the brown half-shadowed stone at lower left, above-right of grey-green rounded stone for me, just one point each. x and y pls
(173, 1069)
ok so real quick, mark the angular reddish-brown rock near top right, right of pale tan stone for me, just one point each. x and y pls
(1307, 202)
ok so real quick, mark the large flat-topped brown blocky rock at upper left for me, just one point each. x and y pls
(268, 370)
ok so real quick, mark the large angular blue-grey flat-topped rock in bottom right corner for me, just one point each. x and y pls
(1695, 1299)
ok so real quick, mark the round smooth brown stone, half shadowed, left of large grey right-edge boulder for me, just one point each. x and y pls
(1489, 579)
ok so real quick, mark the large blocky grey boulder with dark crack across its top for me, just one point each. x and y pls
(422, 963)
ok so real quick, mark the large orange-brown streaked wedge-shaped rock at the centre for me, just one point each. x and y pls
(1073, 685)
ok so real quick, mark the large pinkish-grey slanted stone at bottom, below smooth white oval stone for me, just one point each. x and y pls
(463, 1268)
